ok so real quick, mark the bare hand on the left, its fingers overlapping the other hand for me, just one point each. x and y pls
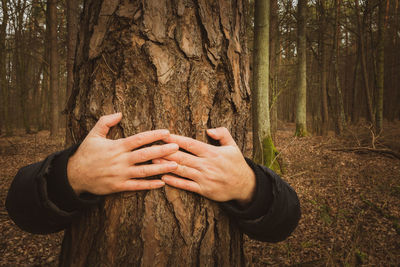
(103, 166)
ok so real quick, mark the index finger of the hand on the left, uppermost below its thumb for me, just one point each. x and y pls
(144, 138)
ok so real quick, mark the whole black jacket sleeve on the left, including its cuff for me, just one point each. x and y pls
(40, 199)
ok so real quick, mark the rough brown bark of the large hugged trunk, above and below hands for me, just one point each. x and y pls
(180, 65)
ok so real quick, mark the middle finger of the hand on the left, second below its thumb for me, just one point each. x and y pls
(152, 152)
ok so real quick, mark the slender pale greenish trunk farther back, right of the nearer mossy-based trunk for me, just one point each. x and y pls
(301, 97)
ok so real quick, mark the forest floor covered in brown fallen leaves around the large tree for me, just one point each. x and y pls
(350, 201)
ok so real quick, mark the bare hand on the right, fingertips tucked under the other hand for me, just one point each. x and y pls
(219, 173)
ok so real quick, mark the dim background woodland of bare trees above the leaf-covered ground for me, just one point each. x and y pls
(352, 62)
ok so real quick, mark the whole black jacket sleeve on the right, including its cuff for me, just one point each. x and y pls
(274, 211)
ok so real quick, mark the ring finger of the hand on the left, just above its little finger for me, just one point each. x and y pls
(143, 171)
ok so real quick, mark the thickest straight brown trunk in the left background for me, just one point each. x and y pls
(54, 67)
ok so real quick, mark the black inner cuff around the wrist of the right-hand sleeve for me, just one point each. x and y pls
(261, 201)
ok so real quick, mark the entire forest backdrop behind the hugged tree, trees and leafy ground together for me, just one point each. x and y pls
(345, 168)
